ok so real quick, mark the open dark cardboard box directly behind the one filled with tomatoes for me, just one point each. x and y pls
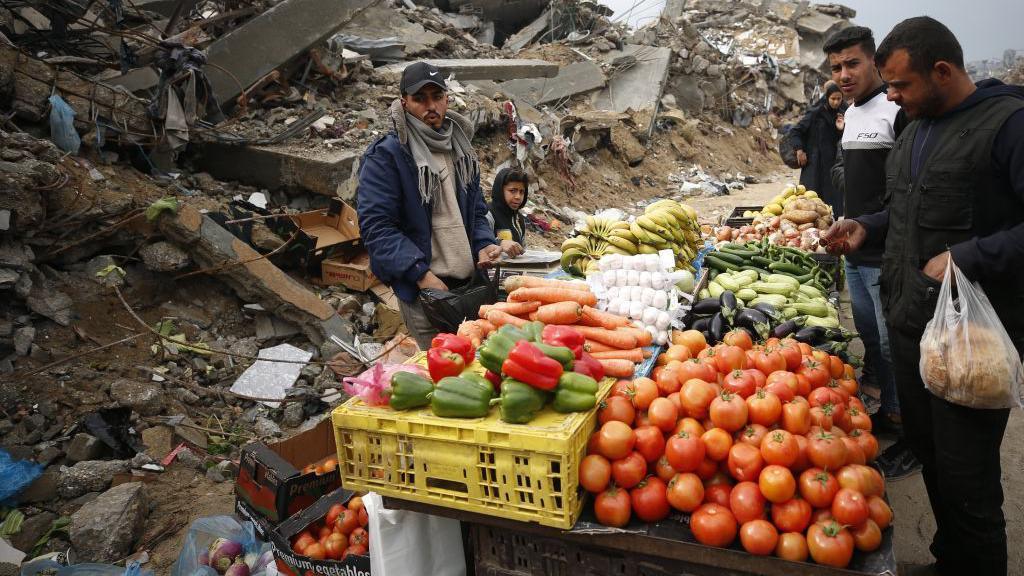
(271, 481)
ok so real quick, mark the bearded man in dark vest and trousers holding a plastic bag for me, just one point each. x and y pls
(956, 188)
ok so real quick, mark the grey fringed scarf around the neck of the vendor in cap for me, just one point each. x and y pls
(423, 141)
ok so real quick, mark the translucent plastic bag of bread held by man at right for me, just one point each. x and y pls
(967, 357)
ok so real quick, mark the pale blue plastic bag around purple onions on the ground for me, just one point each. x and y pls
(195, 557)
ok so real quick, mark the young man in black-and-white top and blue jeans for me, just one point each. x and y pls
(872, 126)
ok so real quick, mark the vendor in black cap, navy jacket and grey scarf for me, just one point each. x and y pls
(422, 217)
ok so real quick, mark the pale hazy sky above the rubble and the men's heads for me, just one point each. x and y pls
(986, 28)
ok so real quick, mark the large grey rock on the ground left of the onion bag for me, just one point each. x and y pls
(106, 529)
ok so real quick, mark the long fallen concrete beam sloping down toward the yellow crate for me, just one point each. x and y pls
(255, 281)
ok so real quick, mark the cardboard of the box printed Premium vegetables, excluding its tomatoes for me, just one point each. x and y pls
(292, 564)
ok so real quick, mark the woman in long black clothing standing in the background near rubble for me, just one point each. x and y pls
(817, 141)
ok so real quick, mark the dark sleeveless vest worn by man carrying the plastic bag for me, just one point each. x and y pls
(953, 200)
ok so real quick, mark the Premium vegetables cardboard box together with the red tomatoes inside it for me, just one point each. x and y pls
(329, 538)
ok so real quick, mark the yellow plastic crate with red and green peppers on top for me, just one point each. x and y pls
(529, 473)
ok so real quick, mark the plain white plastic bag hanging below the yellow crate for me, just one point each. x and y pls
(407, 544)
